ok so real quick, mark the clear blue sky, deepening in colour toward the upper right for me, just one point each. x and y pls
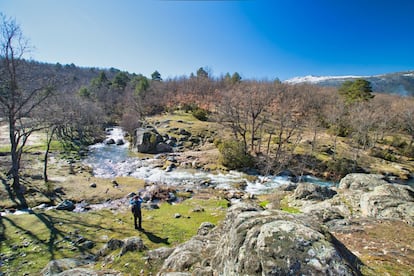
(261, 39)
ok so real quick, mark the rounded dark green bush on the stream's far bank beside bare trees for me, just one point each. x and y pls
(233, 155)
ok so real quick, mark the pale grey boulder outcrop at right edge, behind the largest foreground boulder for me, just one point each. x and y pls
(357, 195)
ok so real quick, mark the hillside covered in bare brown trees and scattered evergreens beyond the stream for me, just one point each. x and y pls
(274, 126)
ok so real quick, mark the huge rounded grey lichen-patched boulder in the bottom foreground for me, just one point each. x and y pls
(252, 241)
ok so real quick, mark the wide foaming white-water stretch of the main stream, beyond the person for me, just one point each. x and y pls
(109, 161)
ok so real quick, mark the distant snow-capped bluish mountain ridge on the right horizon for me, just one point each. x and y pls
(400, 83)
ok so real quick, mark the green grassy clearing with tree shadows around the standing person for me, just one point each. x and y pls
(29, 242)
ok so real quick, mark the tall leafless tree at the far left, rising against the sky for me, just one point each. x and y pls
(18, 100)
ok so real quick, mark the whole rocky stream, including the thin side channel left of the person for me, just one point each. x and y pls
(112, 160)
